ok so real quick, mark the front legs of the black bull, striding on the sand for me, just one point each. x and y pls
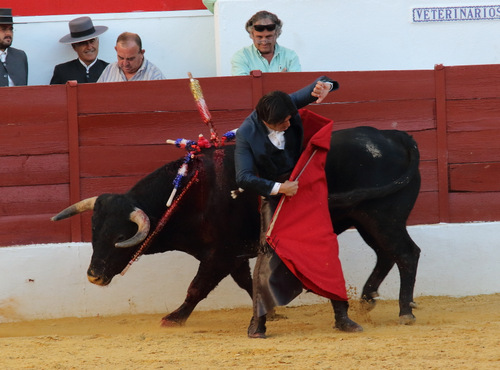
(210, 273)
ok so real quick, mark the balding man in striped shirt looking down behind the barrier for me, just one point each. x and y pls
(131, 64)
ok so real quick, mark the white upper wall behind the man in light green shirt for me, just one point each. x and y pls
(339, 35)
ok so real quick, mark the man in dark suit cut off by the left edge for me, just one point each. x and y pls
(13, 62)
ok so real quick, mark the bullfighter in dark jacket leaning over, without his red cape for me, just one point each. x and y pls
(268, 145)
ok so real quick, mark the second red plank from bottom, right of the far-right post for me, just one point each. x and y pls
(475, 177)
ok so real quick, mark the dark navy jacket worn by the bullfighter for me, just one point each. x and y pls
(259, 164)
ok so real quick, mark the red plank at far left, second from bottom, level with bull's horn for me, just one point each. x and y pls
(31, 200)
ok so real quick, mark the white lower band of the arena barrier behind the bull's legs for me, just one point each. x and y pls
(49, 281)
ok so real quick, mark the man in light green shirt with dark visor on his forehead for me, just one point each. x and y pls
(265, 54)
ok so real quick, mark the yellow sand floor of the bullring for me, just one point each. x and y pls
(450, 333)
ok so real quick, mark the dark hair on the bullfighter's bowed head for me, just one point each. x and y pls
(274, 107)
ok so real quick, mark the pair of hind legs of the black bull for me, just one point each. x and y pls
(393, 245)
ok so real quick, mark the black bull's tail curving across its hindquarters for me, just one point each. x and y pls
(351, 198)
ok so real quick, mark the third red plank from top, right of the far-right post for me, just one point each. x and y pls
(474, 146)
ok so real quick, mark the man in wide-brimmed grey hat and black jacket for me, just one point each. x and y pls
(83, 38)
